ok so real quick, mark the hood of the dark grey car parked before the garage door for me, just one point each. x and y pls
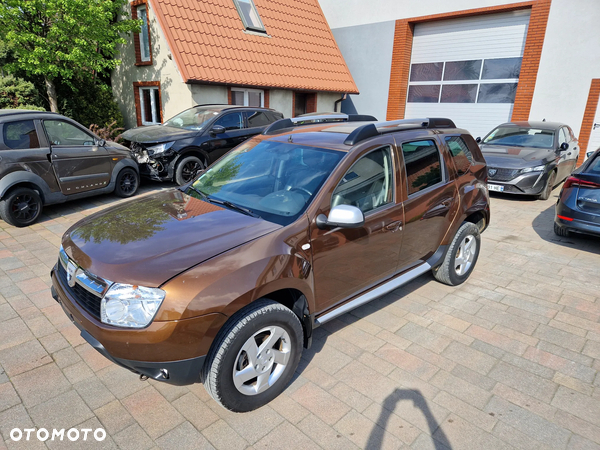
(516, 157)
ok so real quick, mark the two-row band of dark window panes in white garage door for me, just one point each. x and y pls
(489, 81)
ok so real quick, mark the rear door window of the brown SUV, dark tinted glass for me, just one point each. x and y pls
(423, 166)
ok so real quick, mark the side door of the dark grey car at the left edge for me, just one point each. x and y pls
(80, 165)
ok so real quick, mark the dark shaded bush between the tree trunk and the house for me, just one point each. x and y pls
(89, 102)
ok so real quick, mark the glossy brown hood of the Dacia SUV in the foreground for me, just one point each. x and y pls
(149, 240)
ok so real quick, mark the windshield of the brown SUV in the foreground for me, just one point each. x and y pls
(273, 180)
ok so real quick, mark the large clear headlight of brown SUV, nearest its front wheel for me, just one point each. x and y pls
(130, 306)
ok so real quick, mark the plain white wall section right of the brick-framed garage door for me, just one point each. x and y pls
(570, 59)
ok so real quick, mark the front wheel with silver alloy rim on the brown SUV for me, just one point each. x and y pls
(254, 357)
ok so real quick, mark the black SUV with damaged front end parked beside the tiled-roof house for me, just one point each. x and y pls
(192, 140)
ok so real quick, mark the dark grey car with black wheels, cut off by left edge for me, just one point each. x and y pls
(47, 158)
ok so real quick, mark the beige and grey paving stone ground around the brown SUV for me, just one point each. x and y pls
(509, 359)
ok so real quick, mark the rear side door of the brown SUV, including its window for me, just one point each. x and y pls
(431, 201)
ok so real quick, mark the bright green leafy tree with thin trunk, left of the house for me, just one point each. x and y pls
(63, 39)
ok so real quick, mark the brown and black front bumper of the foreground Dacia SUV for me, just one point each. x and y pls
(171, 351)
